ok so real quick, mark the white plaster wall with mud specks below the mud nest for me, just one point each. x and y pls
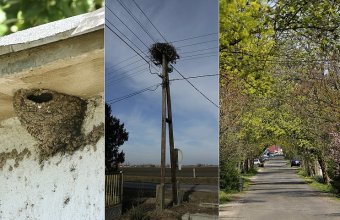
(65, 187)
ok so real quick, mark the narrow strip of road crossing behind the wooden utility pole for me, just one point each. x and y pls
(186, 187)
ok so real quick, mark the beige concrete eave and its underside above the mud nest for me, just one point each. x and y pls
(72, 66)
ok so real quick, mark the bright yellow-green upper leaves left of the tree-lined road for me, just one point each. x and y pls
(245, 43)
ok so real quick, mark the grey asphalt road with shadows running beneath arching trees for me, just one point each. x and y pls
(278, 193)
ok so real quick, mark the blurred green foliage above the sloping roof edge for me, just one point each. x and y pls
(22, 14)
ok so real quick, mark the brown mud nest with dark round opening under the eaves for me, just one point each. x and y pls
(53, 119)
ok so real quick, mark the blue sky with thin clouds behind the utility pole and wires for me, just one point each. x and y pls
(195, 119)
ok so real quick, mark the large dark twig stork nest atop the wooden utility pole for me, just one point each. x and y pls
(158, 49)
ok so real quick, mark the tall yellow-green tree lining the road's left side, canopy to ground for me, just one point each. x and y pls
(245, 45)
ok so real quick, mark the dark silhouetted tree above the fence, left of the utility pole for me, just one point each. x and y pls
(115, 136)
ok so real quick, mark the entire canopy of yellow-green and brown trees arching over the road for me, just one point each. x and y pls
(279, 81)
